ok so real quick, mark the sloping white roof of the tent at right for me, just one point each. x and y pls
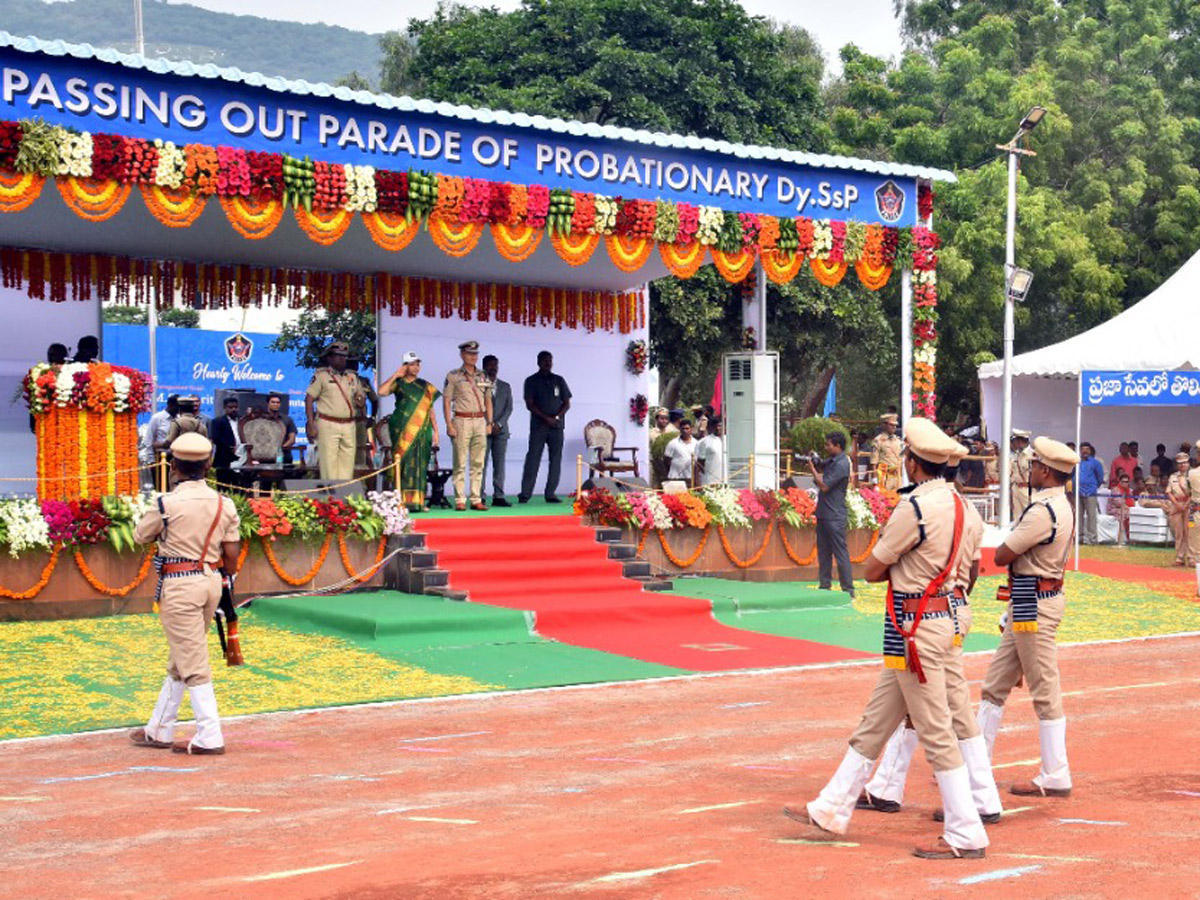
(1154, 334)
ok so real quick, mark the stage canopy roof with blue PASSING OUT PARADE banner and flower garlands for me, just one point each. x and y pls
(784, 197)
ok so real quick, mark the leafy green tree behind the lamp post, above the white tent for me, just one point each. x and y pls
(1108, 208)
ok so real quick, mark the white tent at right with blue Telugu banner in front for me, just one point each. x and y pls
(1159, 333)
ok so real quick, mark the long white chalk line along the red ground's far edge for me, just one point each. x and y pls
(489, 697)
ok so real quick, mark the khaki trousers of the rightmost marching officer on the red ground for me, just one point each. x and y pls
(1033, 655)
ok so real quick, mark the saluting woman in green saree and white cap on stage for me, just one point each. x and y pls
(413, 427)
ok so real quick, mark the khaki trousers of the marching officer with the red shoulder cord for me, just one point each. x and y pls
(898, 693)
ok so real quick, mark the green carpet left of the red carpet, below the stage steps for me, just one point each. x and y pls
(487, 644)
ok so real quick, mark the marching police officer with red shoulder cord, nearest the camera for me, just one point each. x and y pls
(919, 554)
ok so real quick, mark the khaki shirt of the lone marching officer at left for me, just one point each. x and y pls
(190, 509)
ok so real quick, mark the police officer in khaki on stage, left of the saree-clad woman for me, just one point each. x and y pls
(339, 399)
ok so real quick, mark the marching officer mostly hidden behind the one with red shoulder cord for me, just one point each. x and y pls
(885, 791)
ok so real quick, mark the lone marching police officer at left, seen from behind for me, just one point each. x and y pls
(196, 530)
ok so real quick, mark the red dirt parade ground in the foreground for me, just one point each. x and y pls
(579, 793)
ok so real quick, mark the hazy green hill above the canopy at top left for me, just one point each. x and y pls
(178, 32)
